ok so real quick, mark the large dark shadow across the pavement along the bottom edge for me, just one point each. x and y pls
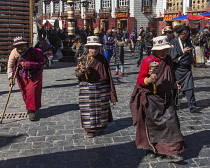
(116, 156)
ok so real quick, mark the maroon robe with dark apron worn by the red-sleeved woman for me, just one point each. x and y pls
(155, 114)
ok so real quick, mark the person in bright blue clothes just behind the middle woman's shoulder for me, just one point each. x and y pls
(108, 45)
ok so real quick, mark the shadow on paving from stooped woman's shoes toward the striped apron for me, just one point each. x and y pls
(55, 110)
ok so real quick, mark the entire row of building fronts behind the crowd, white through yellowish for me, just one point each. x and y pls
(124, 14)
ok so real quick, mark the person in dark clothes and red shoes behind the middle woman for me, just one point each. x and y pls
(119, 55)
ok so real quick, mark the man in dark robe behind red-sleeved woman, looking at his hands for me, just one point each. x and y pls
(183, 59)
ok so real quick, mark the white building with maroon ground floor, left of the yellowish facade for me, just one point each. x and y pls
(124, 14)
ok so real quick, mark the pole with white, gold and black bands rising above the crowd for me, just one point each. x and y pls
(71, 19)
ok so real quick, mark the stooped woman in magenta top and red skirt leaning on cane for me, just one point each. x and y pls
(30, 62)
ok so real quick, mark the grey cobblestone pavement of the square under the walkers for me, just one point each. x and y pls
(57, 140)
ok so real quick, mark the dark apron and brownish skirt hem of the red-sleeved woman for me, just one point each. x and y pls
(162, 126)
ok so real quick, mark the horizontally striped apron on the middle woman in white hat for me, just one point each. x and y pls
(94, 104)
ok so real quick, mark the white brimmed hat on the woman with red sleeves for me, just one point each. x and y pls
(160, 43)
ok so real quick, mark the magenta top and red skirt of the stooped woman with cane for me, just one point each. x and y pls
(29, 77)
